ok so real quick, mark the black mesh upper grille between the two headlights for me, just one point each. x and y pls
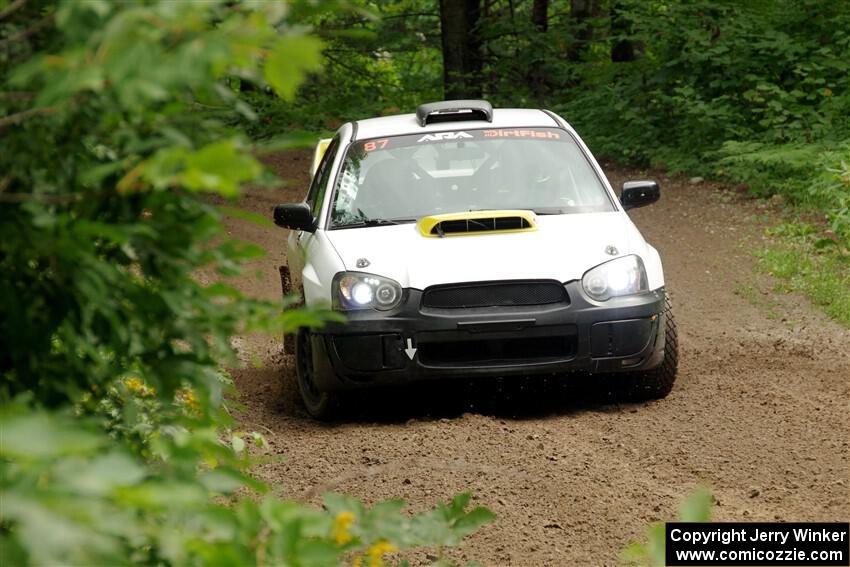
(494, 294)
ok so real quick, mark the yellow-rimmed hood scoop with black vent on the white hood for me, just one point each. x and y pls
(477, 222)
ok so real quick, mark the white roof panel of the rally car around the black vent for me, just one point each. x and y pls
(401, 124)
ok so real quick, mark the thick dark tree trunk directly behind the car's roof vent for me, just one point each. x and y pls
(462, 60)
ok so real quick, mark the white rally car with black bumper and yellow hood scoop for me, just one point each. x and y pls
(463, 241)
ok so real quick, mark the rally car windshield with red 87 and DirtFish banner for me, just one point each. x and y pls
(403, 178)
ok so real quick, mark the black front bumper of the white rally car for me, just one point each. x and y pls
(372, 347)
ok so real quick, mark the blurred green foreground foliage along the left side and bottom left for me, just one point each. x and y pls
(116, 441)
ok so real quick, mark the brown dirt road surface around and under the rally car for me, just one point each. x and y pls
(760, 412)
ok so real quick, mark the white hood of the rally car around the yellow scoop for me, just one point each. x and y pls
(562, 248)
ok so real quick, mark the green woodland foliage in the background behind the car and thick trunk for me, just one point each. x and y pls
(704, 76)
